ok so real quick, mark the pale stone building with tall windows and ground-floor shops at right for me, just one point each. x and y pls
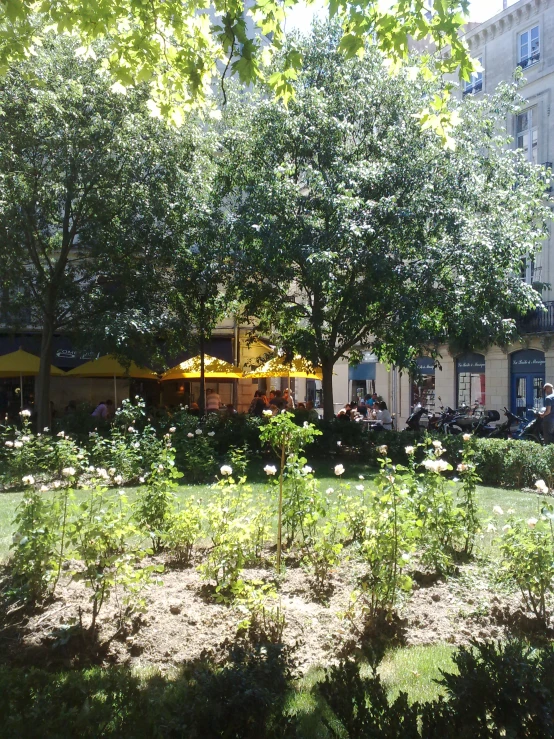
(521, 35)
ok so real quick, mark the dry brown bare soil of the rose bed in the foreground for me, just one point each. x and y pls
(183, 621)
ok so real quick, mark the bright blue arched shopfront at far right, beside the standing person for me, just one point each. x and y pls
(527, 380)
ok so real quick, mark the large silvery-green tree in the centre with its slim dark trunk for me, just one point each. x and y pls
(354, 227)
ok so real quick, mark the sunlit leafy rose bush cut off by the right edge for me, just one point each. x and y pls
(528, 560)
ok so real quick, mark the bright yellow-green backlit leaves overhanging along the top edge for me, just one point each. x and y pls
(178, 48)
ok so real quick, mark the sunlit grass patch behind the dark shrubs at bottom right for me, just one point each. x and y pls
(413, 670)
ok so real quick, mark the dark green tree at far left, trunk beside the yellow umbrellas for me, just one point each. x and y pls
(95, 198)
